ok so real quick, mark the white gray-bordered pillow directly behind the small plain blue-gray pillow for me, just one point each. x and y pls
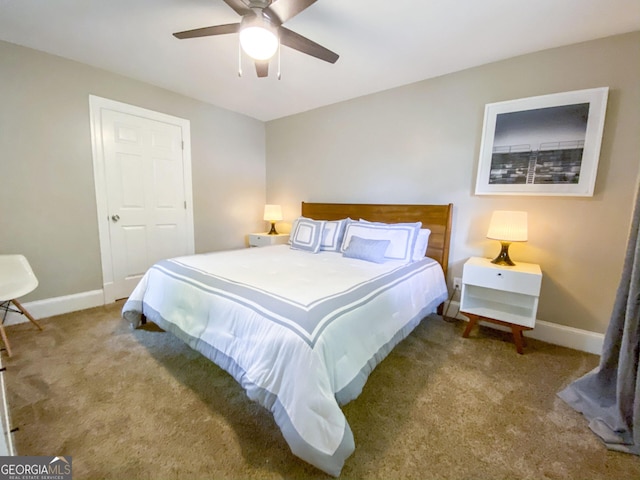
(402, 237)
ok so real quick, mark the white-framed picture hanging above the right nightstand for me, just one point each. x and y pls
(544, 145)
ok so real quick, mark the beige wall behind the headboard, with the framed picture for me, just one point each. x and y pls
(420, 144)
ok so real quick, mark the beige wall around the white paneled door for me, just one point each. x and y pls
(47, 198)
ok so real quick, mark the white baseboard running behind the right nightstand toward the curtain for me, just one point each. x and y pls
(583, 340)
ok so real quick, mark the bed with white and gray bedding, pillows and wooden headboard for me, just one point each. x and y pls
(302, 328)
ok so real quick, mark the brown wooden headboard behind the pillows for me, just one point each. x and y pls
(437, 218)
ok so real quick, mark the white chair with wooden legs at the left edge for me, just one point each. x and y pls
(16, 279)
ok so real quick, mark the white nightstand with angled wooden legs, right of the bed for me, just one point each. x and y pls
(499, 294)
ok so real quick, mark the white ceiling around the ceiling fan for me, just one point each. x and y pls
(382, 43)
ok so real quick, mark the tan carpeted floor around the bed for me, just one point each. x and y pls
(141, 404)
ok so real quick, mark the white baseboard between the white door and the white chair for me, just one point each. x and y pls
(57, 306)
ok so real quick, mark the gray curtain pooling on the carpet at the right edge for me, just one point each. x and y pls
(609, 396)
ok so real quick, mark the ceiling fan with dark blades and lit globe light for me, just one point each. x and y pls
(261, 31)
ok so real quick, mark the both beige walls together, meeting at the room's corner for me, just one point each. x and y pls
(417, 143)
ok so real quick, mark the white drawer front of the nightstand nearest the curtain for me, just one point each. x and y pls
(501, 278)
